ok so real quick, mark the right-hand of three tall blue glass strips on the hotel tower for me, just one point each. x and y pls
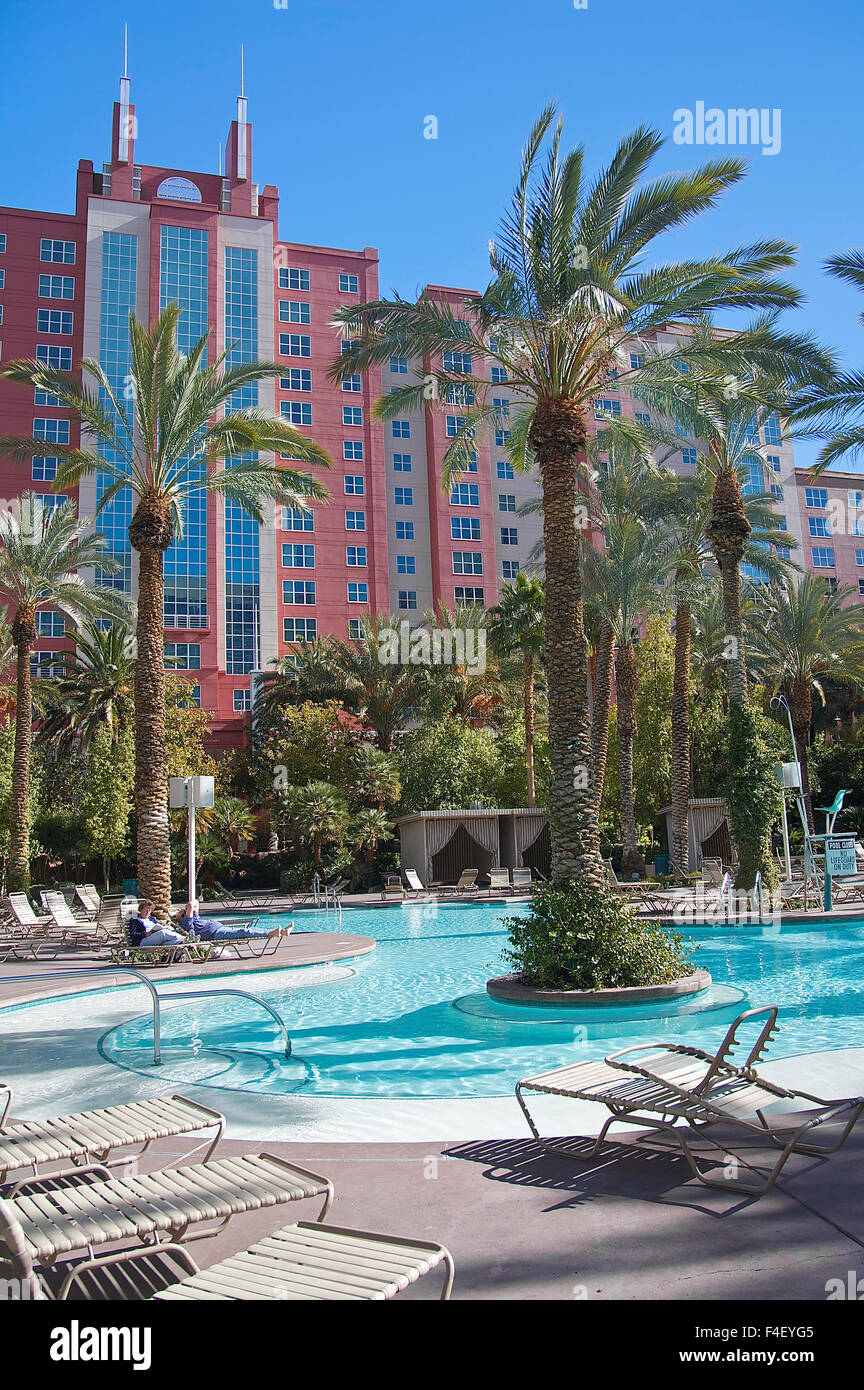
(242, 539)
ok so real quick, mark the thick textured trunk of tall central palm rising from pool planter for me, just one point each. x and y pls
(559, 437)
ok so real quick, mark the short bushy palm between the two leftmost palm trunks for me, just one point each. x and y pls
(97, 690)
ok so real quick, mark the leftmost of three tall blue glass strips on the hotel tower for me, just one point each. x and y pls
(119, 277)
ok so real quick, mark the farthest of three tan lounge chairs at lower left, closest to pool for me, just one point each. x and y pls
(92, 1136)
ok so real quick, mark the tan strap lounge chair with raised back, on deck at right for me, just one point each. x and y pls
(680, 1084)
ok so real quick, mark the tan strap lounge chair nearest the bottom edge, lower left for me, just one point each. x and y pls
(306, 1261)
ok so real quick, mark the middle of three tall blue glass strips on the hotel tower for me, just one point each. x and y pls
(184, 281)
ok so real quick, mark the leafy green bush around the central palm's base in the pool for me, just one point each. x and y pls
(579, 939)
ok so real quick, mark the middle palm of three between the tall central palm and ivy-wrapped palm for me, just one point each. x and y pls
(627, 582)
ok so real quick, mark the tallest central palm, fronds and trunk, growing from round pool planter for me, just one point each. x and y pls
(572, 293)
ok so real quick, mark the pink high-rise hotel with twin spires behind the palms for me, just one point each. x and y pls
(390, 540)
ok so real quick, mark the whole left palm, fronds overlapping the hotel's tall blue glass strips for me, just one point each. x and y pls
(173, 433)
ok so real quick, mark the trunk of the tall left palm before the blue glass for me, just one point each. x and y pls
(151, 757)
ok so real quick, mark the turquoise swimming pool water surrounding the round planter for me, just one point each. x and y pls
(413, 1018)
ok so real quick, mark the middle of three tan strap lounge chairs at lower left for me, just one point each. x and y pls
(178, 1204)
